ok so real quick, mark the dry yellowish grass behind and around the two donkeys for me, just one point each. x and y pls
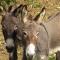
(34, 6)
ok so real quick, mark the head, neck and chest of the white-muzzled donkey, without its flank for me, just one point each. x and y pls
(35, 37)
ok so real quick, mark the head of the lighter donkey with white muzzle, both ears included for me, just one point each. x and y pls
(31, 31)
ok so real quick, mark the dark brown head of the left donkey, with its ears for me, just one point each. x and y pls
(10, 24)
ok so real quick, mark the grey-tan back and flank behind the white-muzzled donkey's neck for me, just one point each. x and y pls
(53, 28)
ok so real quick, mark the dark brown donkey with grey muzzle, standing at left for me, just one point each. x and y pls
(12, 30)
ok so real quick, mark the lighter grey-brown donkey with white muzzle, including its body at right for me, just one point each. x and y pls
(41, 38)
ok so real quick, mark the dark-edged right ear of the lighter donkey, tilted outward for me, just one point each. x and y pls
(39, 17)
